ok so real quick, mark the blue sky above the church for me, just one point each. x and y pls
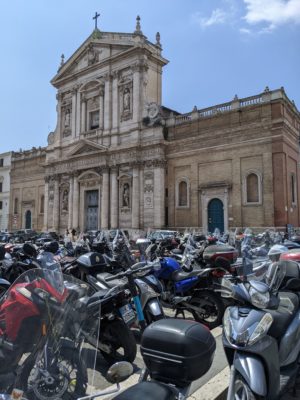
(216, 49)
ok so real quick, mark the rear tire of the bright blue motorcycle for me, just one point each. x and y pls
(213, 306)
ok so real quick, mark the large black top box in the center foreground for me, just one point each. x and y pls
(177, 351)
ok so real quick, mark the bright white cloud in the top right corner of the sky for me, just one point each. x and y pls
(272, 12)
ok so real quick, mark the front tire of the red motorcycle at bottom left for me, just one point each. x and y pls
(70, 385)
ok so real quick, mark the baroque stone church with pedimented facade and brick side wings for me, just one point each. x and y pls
(119, 158)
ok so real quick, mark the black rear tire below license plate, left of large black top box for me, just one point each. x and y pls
(119, 338)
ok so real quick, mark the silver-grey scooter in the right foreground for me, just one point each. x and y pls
(261, 335)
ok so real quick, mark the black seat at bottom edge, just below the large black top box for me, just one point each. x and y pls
(147, 391)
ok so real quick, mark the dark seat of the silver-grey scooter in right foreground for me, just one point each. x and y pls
(283, 316)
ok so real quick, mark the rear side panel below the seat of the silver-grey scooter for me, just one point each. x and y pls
(290, 343)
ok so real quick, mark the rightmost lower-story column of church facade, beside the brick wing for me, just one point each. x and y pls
(159, 194)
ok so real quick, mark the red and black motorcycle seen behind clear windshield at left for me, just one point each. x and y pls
(36, 356)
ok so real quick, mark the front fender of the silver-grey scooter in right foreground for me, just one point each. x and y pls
(252, 370)
